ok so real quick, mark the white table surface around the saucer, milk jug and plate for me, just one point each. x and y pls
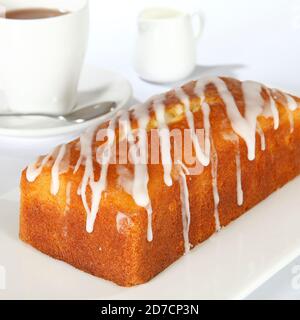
(249, 39)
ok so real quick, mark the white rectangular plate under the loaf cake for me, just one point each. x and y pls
(230, 265)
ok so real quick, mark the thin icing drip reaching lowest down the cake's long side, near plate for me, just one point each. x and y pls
(185, 207)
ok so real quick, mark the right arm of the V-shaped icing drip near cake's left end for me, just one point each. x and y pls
(99, 186)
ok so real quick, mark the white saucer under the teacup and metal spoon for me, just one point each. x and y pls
(95, 85)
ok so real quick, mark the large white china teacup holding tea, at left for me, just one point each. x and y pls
(41, 59)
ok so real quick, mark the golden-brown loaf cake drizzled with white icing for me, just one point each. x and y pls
(100, 204)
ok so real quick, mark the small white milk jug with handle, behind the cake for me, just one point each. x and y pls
(167, 44)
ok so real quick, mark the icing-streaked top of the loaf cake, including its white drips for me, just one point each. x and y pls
(212, 107)
